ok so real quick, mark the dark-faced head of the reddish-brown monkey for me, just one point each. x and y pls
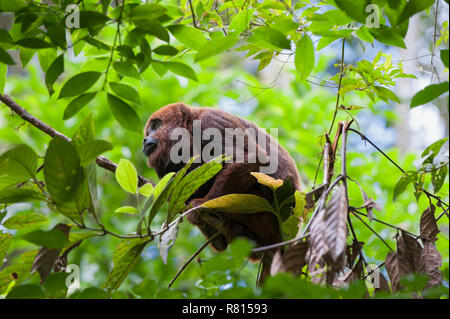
(157, 143)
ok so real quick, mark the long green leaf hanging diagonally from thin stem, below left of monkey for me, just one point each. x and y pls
(125, 256)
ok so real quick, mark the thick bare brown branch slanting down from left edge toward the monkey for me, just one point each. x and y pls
(100, 160)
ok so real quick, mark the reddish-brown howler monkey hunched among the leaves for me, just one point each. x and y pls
(234, 177)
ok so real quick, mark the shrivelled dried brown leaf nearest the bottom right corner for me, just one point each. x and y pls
(429, 263)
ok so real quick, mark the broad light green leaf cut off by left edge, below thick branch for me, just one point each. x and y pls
(17, 165)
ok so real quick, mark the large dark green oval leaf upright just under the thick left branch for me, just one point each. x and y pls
(62, 171)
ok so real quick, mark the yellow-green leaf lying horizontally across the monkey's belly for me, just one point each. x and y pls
(240, 204)
